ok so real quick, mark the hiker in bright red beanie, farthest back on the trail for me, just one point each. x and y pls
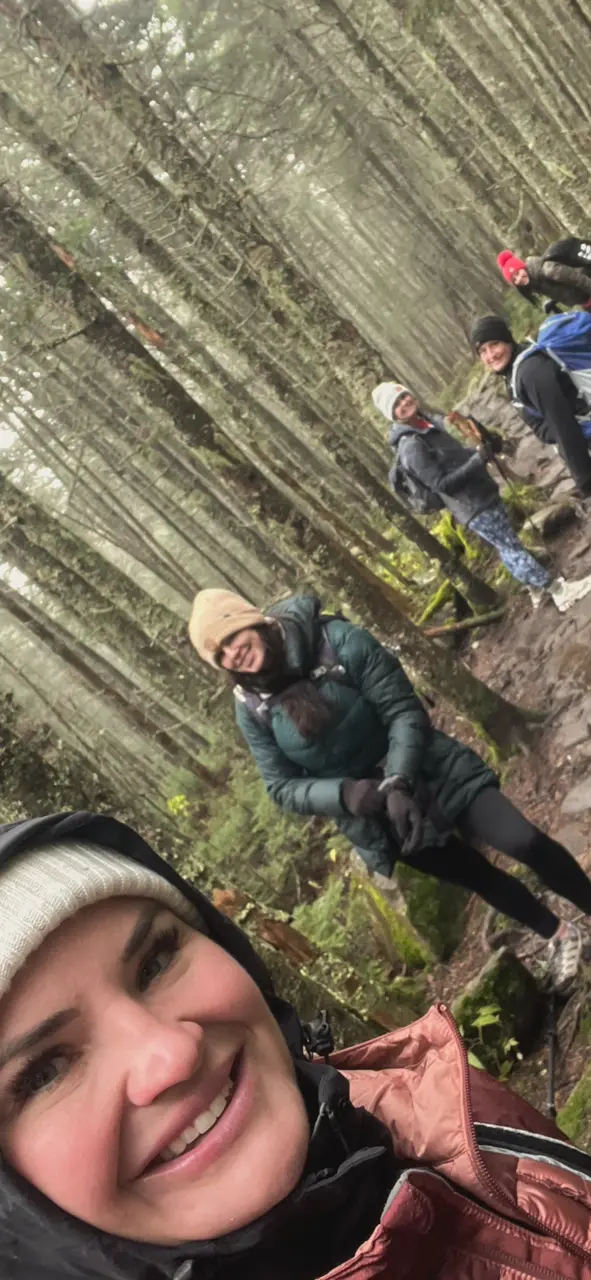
(561, 275)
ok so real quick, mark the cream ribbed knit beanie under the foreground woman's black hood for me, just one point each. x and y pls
(42, 889)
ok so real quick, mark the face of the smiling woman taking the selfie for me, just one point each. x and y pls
(145, 1086)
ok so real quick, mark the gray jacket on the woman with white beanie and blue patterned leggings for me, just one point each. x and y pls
(455, 473)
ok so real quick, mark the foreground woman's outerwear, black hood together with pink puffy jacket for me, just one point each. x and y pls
(419, 1167)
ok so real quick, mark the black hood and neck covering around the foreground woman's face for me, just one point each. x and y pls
(335, 1208)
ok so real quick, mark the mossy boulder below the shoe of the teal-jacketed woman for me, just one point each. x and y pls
(500, 1012)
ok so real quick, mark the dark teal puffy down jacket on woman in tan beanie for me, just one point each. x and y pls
(378, 717)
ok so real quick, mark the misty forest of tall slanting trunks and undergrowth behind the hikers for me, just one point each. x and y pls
(221, 226)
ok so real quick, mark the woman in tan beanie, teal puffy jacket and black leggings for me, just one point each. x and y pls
(337, 730)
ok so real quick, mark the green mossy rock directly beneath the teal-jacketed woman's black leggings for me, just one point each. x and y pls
(437, 911)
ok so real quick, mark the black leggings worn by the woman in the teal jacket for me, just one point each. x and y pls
(493, 820)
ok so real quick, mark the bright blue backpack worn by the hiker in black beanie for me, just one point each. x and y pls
(567, 340)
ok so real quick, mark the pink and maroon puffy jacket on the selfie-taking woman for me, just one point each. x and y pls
(492, 1192)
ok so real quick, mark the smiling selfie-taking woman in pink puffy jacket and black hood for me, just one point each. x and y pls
(161, 1121)
